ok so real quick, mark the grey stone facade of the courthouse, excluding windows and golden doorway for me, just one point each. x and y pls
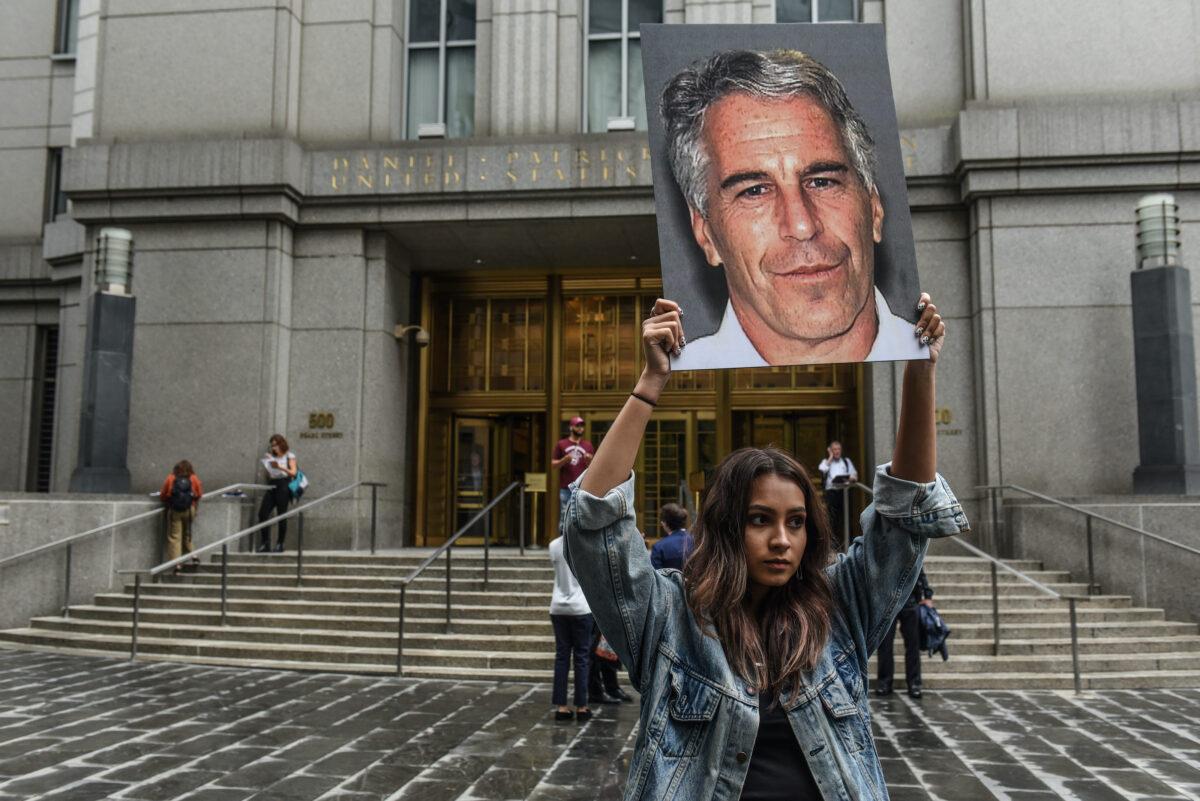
(256, 153)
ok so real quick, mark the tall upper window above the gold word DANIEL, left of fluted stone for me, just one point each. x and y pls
(442, 65)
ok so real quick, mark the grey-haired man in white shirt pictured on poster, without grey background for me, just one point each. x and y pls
(778, 171)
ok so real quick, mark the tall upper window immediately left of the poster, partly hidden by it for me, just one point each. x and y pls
(613, 69)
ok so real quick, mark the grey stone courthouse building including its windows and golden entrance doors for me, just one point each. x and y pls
(304, 177)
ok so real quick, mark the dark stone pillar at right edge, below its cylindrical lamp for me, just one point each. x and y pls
(1165, 357)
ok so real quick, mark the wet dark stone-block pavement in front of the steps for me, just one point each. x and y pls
(81, 728)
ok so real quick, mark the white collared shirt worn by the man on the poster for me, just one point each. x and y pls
(730, 347)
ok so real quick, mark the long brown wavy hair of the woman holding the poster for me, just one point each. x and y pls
(795, 621)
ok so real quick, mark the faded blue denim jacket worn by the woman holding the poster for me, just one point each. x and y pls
(699, 719)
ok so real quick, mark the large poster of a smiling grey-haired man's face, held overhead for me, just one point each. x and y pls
(782, 204)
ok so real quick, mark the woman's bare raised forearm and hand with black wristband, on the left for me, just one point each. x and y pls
(662, 336)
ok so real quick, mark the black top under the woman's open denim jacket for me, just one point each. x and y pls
(778, 768)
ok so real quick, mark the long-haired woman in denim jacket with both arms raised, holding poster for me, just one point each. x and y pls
(752, 664)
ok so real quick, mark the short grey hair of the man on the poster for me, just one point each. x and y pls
(773, 75)
